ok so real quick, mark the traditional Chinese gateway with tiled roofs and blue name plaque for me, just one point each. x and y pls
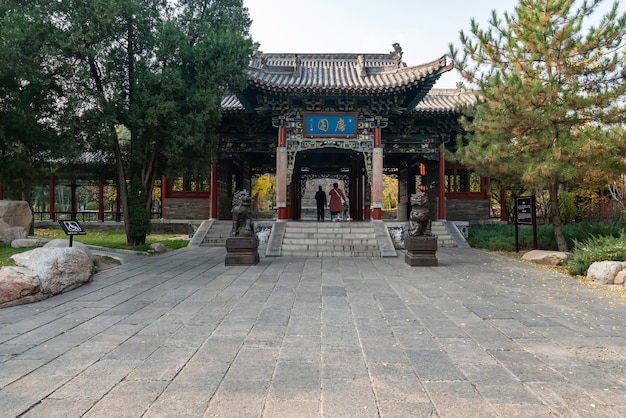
(351, 117)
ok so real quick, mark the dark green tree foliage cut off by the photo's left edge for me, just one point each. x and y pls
(27, 143)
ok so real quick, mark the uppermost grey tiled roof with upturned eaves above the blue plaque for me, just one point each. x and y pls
(352, 73)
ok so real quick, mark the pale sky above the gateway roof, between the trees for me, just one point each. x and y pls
(423, 28)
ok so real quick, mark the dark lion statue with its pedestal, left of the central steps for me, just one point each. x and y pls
(242, 245)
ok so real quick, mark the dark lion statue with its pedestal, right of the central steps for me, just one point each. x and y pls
(420, 243)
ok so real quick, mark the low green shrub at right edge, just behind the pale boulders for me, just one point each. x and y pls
(596, 248)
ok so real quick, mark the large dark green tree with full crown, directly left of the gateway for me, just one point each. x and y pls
(156, 68)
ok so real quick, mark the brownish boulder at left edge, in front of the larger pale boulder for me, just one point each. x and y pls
(18, 285)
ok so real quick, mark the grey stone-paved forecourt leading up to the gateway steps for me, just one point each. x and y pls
(181, 334)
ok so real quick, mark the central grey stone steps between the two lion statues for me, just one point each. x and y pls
(330, 239)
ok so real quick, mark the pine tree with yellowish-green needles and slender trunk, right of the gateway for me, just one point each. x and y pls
(550, 96)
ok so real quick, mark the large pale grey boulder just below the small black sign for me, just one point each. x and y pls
(58, 269)
